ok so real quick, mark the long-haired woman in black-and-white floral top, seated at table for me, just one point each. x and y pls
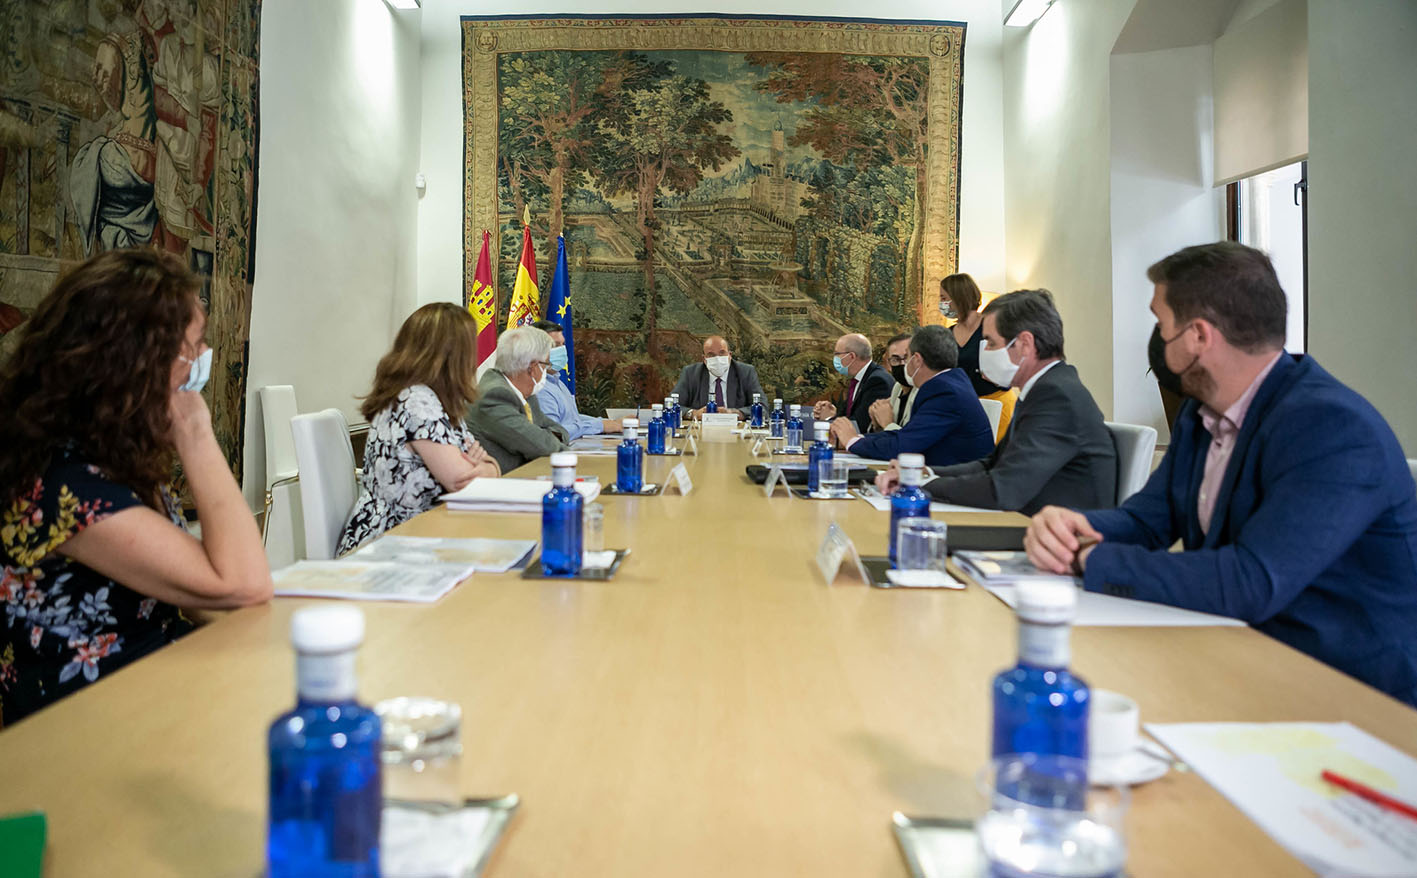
(419, 447)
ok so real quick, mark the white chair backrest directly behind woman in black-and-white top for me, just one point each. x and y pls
(328, 489)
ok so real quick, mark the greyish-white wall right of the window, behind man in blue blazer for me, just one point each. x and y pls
(1364, 202)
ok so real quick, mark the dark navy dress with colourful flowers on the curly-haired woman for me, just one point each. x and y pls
(66, 625)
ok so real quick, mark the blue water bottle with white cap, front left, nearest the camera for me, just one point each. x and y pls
(327, 785)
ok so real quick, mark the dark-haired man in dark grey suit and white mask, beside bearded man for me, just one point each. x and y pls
(1056, 448)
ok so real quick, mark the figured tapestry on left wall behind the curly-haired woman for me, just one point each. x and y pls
(132, 124)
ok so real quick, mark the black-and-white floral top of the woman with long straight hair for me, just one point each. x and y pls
(397, 484)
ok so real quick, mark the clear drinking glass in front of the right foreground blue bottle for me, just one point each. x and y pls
(1044, 821)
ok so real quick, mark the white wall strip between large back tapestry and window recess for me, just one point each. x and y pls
(1056, 130)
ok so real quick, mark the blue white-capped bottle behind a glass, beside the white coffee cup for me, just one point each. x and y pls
(1039, 706)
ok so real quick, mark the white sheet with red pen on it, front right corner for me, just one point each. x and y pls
(1273, 772)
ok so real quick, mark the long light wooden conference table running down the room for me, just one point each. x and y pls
(715, 710)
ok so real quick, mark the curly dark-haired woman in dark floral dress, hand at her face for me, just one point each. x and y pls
(101, 401)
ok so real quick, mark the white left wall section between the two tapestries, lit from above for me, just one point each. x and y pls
(337, 217)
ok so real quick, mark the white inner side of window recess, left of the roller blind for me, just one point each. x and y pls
(1163, 199)
